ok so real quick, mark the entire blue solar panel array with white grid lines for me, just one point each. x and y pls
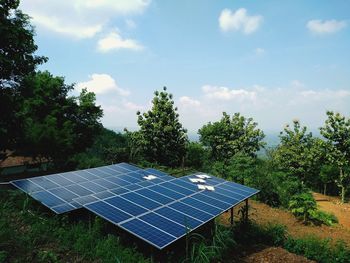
(159, 211)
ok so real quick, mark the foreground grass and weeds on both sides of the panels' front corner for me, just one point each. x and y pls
(29, 234)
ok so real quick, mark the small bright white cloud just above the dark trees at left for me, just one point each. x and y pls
(101, 84)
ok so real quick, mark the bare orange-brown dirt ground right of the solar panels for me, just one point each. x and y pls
(263, 214)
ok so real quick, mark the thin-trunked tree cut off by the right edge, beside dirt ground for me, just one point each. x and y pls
(336, 131)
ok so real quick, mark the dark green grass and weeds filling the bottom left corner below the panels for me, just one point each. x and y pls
(26, 233)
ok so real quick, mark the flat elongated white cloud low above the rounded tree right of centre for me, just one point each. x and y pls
(225, 93)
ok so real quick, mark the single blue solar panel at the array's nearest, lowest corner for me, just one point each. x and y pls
(148, 233)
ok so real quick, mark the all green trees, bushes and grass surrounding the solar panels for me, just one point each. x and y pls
(38, 111)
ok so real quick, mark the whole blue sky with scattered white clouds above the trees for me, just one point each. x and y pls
(271, 60)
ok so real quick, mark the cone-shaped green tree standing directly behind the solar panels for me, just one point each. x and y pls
(163, 137)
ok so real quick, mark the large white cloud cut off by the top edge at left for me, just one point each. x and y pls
(80, 18)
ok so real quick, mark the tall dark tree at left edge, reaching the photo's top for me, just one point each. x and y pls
(17, 59)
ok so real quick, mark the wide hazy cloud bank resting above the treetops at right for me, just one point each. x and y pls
(271, 107)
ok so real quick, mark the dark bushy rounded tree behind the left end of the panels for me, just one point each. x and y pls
(56, 126)
